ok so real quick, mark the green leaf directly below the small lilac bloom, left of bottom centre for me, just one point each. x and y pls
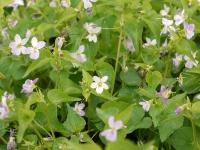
(74, 122)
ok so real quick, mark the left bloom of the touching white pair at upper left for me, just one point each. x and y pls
(18, 46)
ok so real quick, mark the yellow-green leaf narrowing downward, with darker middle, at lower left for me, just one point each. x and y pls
(25, 118)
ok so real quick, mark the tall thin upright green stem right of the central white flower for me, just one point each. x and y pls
(117, 57)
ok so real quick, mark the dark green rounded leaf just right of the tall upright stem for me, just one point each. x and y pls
(130, 77)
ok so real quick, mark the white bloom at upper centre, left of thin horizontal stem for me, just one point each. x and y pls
(93, 30)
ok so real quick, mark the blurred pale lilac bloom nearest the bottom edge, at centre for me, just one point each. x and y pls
(111, 133)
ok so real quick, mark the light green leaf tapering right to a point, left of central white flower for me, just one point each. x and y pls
(57, 96)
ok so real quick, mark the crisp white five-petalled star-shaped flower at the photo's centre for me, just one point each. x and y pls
(99, 84)
